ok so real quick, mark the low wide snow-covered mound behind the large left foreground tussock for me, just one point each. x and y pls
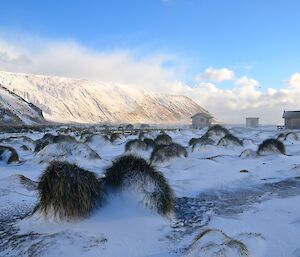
(66, 151)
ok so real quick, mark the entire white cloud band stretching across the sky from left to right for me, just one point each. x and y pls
(231, 105)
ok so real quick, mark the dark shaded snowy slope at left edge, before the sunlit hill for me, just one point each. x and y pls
(16, 111)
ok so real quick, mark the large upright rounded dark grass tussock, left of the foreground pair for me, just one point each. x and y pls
(67, 191)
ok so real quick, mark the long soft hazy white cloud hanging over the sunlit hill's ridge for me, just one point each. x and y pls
(66, 58)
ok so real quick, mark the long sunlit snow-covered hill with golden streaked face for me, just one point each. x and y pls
(85, 101)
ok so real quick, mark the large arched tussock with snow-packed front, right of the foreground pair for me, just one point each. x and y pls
(136, 175)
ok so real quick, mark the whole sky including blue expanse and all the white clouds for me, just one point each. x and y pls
(236, 58)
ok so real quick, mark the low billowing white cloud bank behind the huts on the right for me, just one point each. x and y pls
(244, 99)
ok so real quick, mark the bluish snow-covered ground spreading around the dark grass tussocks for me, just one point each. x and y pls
(257, 208)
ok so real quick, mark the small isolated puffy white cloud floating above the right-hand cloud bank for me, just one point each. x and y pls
(216, 75)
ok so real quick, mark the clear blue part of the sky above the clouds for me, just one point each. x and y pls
(257, 38)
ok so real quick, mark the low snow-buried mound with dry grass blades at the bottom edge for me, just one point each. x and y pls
(214, 242)
